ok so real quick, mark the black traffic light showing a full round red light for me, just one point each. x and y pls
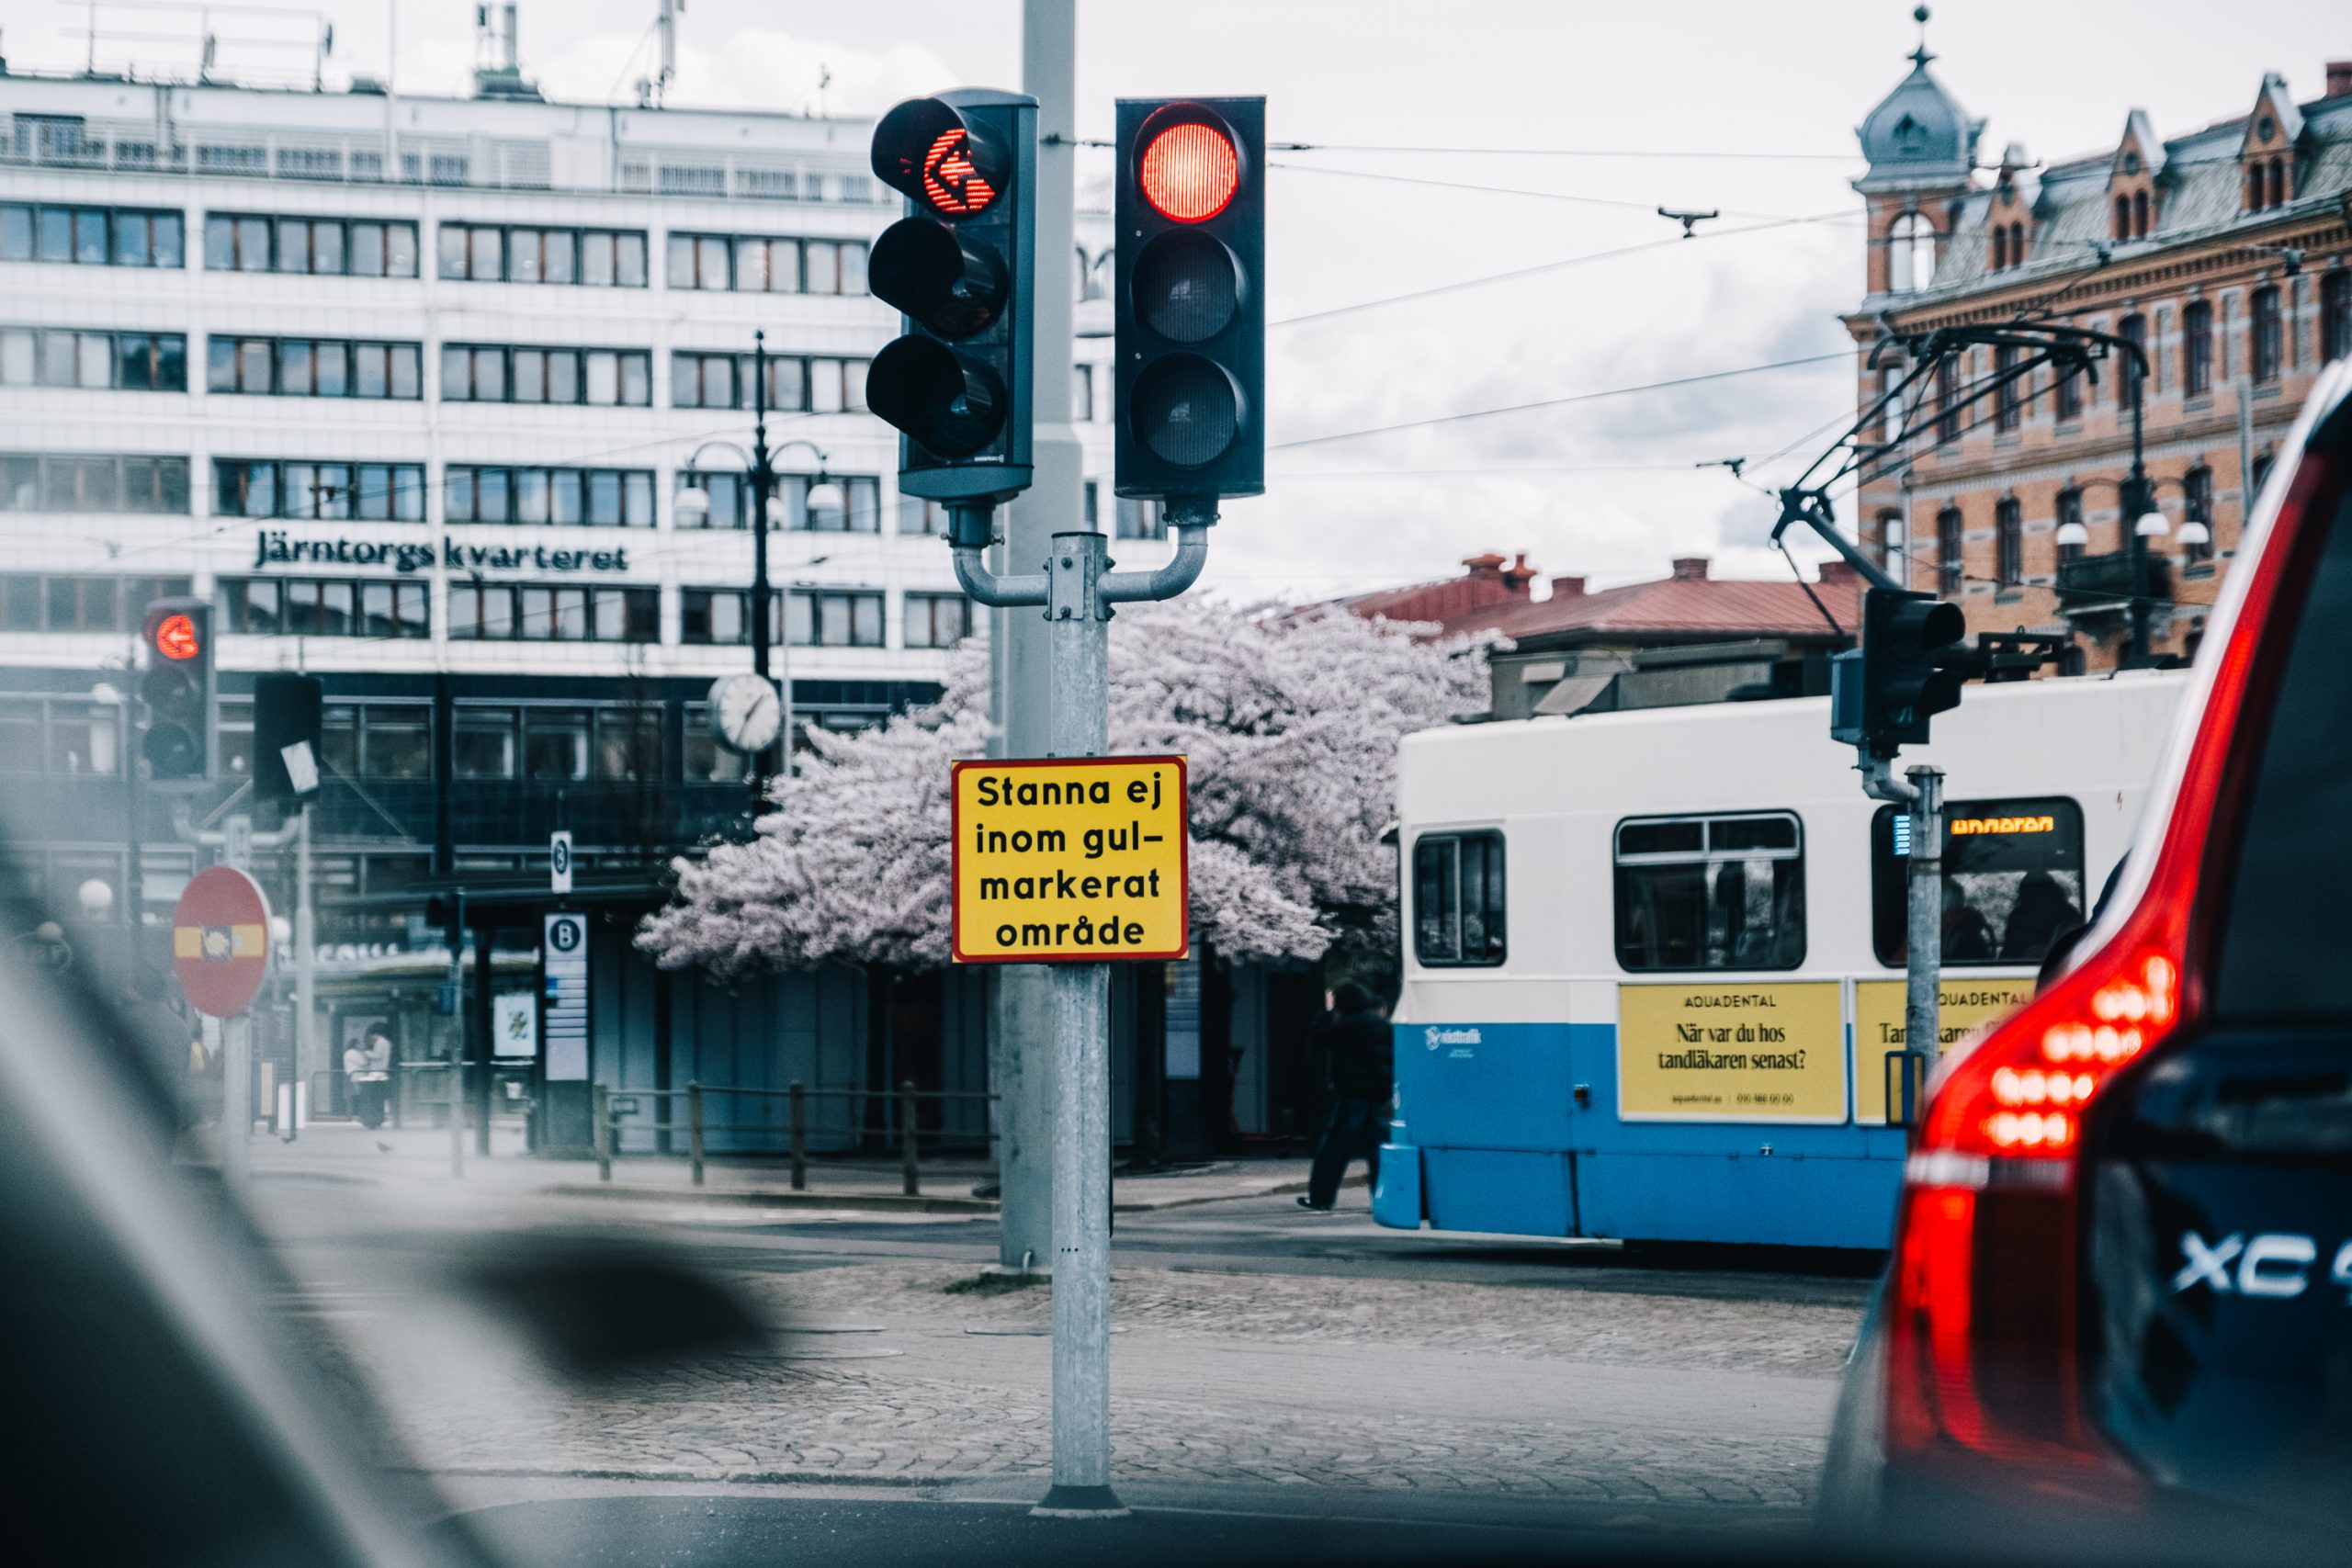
(1191, 297)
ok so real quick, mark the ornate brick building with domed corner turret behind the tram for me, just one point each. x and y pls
(2226, 253)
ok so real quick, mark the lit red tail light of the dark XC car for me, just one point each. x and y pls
(1984, 1329)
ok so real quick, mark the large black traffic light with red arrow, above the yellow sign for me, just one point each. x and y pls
(961, 269)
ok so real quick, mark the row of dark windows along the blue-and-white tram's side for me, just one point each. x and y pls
(1728, 892)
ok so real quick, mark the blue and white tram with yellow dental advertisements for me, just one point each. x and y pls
(1655, 960)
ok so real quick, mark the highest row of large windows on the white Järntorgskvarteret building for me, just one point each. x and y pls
(387, 248)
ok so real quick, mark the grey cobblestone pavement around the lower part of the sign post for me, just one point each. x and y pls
(1323, 1383)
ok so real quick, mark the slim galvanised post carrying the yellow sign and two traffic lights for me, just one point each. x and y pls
(1078, 622)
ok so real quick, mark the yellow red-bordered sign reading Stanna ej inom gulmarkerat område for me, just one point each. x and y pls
(1071, 859)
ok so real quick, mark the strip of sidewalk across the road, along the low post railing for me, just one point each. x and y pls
(420, 1158)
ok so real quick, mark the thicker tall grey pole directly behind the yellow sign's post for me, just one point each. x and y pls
(1022, 1000)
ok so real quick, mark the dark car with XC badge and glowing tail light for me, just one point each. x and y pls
(2120, 1294)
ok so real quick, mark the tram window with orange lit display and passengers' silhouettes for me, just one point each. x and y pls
(2012, 880)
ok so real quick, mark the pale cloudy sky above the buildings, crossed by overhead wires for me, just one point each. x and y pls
(1579, 121)
